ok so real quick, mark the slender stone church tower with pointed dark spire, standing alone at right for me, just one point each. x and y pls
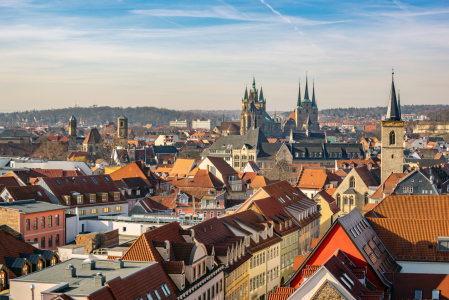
(392, 155)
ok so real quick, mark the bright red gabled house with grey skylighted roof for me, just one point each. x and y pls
(353, 235)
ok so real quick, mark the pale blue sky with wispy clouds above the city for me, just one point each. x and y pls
(201, 54)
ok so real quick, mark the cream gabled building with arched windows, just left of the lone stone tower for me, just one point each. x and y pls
(354, 191)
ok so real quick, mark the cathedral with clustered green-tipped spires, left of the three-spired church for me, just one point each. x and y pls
(254, 114)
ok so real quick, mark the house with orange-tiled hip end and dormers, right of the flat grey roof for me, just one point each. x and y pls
(190, 264)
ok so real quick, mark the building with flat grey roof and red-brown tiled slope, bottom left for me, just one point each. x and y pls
(96, 280)
